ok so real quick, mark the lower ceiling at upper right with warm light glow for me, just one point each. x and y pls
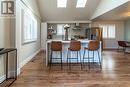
(118, 14)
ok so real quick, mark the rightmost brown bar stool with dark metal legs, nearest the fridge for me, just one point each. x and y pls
(92, 46)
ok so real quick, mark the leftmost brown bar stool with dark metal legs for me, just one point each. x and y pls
(56, 46)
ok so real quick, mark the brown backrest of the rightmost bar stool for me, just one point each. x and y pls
(93, 45)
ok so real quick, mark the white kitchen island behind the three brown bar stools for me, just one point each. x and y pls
(66, 44)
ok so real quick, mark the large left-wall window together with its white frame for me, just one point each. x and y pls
(33, 24)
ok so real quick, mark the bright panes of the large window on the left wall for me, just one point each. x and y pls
(29, 27)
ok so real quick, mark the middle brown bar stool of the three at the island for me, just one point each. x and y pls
(75, 46)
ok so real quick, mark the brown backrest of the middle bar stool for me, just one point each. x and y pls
(75, 45)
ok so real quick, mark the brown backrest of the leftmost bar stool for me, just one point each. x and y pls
(56, 46)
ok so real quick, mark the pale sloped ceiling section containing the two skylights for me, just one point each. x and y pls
(50, 12)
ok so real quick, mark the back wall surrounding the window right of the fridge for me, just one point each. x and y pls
(112, 43)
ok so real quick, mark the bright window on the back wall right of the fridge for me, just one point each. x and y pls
(108, 31)
